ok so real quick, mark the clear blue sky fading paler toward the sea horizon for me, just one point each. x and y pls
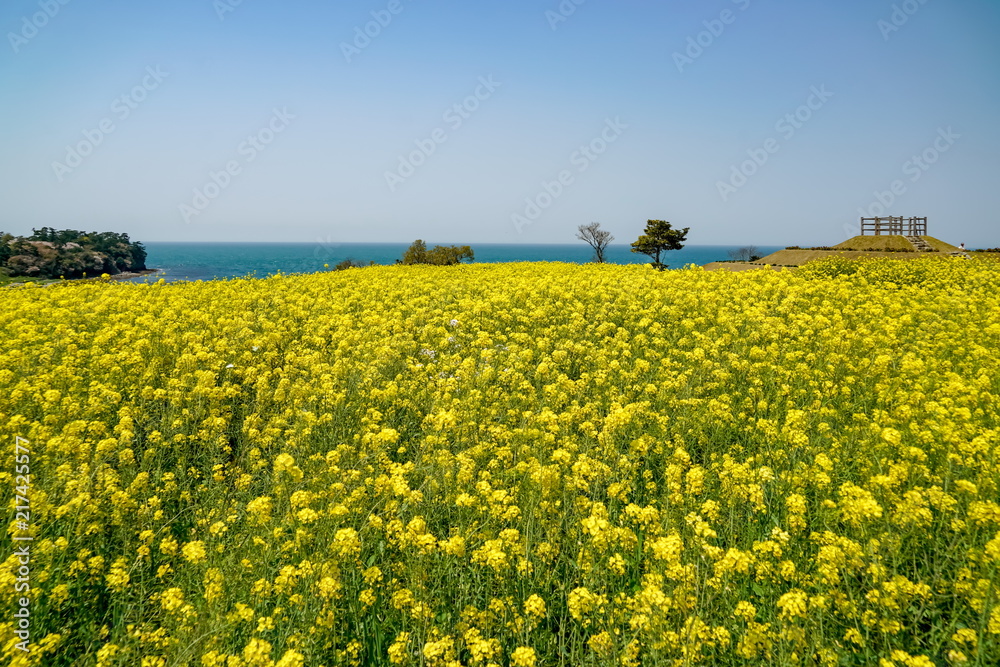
(667, 120)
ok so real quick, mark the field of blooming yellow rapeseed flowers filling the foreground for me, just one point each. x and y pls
(523, 464)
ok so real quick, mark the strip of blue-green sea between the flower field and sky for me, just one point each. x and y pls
(209, 261)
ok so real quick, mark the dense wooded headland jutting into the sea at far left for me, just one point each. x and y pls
(69, 253)
